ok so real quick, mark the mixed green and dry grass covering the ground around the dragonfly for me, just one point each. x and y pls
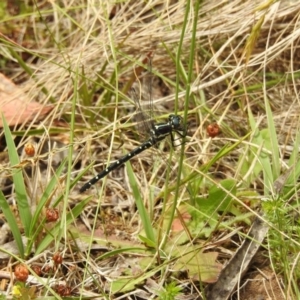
(164, 225)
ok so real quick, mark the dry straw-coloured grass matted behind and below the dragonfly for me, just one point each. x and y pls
(244, 54)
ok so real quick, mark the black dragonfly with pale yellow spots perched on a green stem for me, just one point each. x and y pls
(157, 132)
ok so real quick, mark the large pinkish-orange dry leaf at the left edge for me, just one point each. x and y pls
(16, 107)
